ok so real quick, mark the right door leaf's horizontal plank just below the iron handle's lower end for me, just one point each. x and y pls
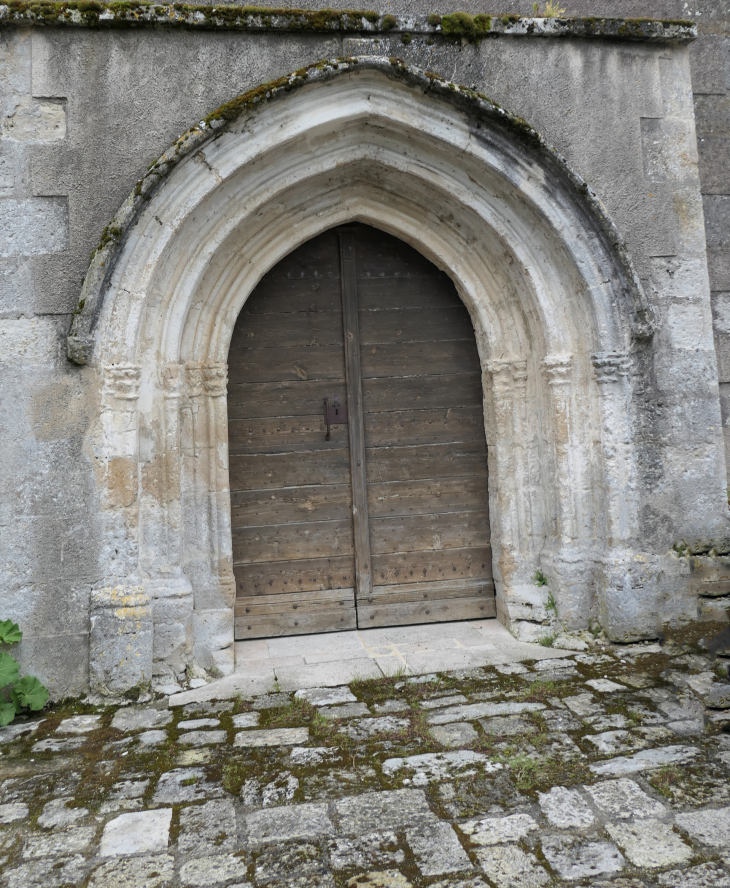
(426, 461)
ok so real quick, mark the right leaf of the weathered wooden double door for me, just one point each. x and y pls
(430, 562)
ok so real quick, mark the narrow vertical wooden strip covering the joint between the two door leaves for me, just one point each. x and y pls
(348, 277)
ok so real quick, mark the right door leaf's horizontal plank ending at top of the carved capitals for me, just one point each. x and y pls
(412, 359)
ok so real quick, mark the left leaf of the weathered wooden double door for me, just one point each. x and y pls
(287, 353)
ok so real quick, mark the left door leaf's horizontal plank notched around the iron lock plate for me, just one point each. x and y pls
(264, 399)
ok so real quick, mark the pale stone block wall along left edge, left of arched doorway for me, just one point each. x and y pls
(48, 548)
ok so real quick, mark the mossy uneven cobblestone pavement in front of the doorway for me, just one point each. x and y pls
(609, 767)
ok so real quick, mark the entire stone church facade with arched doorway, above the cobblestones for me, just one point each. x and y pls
(566, 177)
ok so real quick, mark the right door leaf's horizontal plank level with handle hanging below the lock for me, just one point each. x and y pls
(440, 426)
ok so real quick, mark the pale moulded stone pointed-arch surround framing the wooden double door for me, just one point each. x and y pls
(554, 303)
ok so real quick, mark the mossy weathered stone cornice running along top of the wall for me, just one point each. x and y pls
(457, 26)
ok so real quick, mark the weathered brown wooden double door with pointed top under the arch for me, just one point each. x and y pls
(379, 516)
